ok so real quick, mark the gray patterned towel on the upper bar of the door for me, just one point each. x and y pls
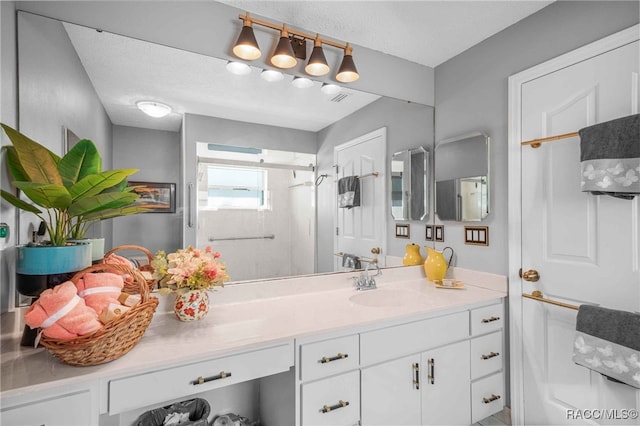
(610, 157)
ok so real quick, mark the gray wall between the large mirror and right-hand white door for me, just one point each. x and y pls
(471, 95)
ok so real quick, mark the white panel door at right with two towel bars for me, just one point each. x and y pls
(584, 247)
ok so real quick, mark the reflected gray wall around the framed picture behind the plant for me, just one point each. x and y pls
(157, 154)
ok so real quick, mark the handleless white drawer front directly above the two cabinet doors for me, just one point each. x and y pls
(393, 342)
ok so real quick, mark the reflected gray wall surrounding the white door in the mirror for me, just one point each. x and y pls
(409, 125)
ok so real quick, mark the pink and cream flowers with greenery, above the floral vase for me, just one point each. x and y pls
(189, 269)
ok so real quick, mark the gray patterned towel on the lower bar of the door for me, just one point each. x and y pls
(608, 342)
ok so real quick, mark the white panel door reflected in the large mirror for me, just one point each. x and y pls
(360, 229)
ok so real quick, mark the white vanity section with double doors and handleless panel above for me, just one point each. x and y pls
(429, 387)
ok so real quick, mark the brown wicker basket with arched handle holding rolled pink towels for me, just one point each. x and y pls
(117, 337)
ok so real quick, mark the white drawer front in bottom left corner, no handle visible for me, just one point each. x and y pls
(68, 410)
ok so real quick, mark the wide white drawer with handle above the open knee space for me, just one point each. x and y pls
(163, 385)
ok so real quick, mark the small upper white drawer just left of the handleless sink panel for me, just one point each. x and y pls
(329, 357)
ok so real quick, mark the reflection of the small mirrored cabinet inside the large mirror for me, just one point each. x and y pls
(409, 184)
